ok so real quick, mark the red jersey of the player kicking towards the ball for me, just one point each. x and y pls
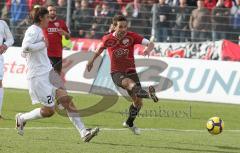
(121, 52)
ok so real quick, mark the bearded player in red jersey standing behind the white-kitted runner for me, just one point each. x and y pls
(54, 32)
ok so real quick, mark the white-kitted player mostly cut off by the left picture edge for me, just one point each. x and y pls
(6, 40)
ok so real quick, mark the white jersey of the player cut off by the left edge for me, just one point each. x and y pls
(5, 34)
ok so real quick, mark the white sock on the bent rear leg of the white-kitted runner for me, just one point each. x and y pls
(33, 115)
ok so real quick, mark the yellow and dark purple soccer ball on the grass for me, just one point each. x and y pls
(215, 125)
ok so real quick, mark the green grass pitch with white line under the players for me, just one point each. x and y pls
(167, 127)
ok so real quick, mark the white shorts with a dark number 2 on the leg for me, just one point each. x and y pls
(41, 90)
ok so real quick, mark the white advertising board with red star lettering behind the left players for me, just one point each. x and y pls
(15, 70)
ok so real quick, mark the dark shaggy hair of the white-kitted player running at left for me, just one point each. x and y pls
(37, 13)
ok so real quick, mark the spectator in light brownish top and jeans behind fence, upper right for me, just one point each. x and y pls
(200, 21)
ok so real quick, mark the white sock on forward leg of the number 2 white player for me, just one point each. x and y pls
(76, 120)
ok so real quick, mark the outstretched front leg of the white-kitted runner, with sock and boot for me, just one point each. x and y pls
(66, 102)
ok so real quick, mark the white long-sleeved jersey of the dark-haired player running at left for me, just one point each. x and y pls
(35, 51)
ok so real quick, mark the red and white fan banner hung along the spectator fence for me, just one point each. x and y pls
(202, 50)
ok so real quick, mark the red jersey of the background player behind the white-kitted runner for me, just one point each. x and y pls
(54, 38)
